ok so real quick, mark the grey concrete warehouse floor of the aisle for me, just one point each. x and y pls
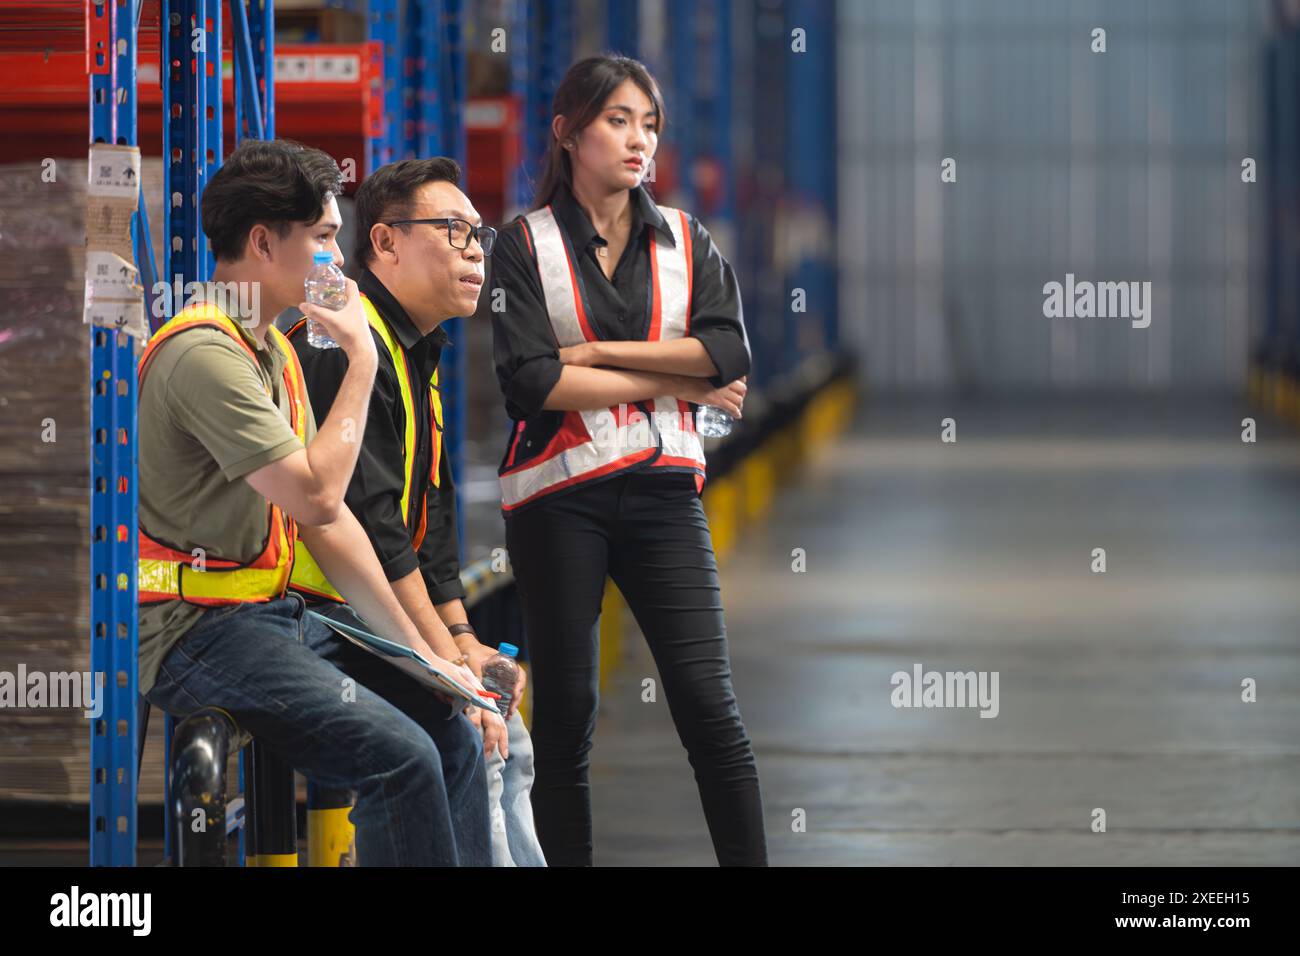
(1119, 691)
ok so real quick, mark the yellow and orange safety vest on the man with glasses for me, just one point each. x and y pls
(307, 574)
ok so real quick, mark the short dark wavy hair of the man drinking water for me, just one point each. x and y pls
(276, 183)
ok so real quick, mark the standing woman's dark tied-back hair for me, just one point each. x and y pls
(579, 100)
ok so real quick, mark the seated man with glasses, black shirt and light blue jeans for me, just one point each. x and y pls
(421, 274)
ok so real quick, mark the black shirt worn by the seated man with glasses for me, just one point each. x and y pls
(375, 492)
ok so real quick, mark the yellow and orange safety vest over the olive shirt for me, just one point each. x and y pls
(168, 574)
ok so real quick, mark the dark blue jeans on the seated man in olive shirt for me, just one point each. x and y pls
(417, 767)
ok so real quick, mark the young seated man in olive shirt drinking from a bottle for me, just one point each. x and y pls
(215, 449)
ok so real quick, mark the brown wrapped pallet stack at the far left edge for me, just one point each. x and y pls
(45, 390)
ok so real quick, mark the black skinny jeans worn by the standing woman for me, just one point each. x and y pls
(648, 531)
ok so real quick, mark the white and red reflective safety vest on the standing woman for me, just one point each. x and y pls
(603, 443)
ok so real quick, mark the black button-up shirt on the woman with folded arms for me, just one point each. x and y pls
(525, 347)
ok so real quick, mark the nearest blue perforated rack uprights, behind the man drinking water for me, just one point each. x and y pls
(190, 59)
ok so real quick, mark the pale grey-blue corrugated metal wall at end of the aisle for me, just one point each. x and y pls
(1124, 166)
